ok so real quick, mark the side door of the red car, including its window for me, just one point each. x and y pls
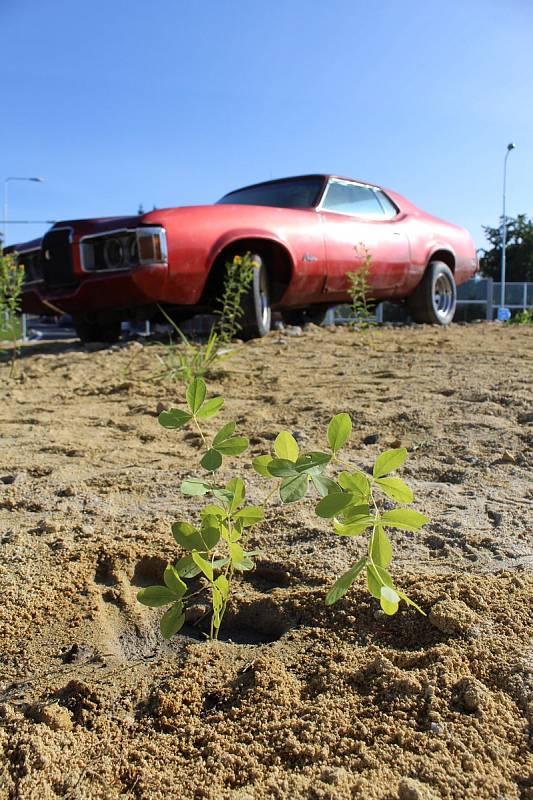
(360, 219)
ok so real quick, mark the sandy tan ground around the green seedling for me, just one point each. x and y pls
(299, 701)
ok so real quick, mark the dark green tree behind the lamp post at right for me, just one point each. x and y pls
(518, 252)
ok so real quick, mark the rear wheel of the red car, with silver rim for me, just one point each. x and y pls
(435, 298)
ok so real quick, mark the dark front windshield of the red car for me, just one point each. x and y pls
(292, 193)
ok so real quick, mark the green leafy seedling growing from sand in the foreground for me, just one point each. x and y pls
(216, 547)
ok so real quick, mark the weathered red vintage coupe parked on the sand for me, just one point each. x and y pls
(306, 232)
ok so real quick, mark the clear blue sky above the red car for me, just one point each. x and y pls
(174, 103)
